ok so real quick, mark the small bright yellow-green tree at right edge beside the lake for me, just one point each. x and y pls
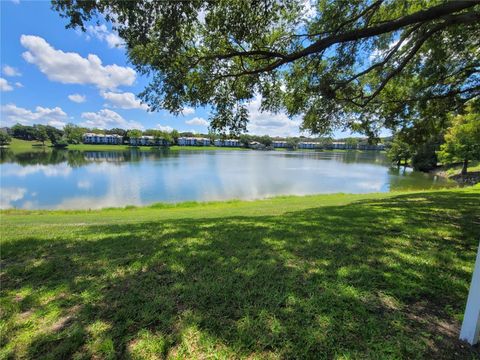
(462, 140)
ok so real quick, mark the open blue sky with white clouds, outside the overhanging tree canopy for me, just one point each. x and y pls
(53, 75)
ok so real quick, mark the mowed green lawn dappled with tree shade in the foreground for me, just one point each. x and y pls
(376, 276)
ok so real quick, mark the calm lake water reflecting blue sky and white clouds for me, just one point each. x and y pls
(97, 179)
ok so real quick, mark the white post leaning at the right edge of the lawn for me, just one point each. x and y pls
(471, 320)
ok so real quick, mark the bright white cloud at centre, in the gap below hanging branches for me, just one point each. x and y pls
(268, 123)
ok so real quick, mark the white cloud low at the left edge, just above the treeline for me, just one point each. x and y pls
(14, 114)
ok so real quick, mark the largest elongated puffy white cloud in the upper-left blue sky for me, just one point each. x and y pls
(71, 68)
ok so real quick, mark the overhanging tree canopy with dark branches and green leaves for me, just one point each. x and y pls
(357, 64)
